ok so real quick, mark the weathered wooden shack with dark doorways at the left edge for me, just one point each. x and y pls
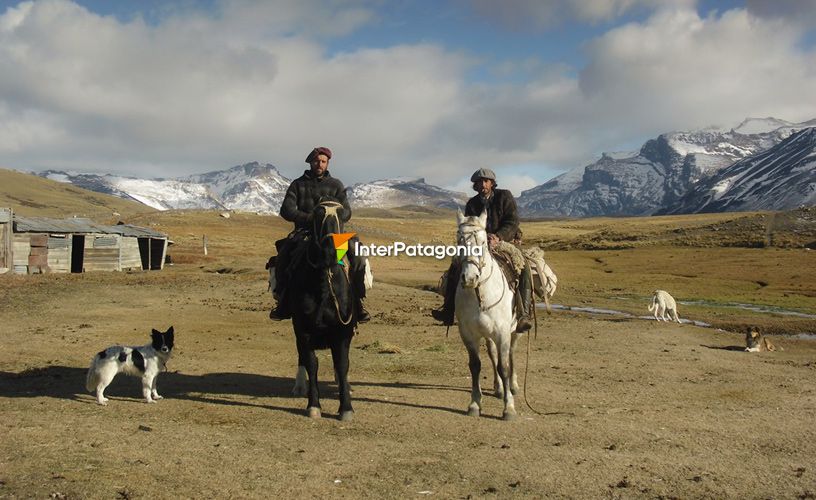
(76, 245)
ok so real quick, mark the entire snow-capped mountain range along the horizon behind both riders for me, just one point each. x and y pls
(761, 164)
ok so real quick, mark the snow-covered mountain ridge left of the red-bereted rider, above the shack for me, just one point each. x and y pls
(251, 187)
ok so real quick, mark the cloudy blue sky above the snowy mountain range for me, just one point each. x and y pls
(424, 88)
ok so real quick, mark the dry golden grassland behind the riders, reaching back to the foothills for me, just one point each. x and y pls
(711, 274)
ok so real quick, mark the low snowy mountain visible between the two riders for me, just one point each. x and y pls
(401, 191)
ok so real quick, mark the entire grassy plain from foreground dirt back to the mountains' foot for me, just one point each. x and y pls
(625, 407)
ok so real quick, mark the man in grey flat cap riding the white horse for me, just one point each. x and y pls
(502, 225)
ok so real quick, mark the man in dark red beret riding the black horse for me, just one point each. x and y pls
(303, 195)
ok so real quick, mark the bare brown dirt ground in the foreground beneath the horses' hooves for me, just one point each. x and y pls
(625, 407)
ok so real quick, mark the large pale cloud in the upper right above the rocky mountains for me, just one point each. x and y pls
(679, 68)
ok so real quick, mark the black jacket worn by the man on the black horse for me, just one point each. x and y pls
(306, 192)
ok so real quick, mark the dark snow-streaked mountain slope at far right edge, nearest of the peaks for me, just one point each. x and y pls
(781, 178)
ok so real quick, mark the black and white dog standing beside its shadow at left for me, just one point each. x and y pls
(144, 361)
